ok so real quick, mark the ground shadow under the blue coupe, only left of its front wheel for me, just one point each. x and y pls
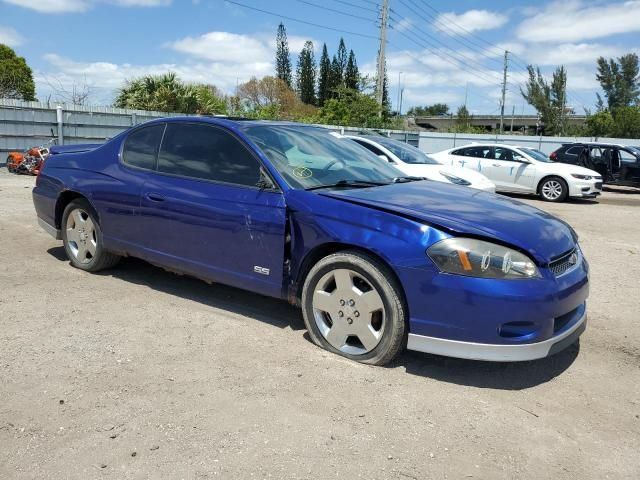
(265, 309)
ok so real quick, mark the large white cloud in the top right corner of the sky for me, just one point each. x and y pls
(577, 20)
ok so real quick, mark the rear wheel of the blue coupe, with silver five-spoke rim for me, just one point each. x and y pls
(82, 238)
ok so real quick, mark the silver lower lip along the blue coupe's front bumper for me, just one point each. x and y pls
(498, 353)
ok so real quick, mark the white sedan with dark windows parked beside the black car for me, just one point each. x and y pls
(525, 170)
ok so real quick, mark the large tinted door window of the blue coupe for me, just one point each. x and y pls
(206, 152)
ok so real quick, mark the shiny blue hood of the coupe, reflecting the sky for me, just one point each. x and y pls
(465, 211)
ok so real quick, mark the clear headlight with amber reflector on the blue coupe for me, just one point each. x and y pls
(476, 258)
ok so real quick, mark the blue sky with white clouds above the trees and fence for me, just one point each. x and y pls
(437, 52)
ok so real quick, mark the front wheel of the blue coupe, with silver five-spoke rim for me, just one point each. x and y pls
(352, 305)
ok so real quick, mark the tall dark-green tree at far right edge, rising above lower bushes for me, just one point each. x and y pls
(620, 80)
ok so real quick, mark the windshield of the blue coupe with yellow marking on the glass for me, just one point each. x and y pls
(309, 157)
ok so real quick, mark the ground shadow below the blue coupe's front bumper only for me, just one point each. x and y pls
(495, 375)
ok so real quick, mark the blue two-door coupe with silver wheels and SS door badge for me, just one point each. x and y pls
(377, 261)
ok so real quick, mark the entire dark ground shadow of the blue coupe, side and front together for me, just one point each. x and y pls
(502, 376)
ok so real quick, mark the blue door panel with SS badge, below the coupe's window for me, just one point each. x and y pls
(216, 231)
